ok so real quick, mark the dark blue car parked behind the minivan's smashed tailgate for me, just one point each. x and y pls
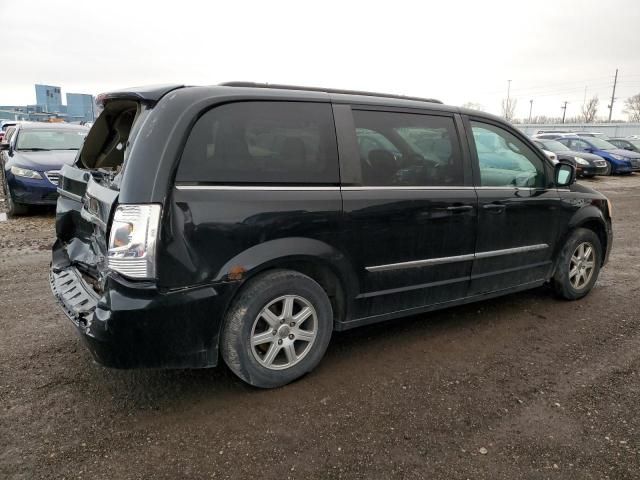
(32, 159)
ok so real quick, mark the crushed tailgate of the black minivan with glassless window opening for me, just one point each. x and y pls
(88, 194)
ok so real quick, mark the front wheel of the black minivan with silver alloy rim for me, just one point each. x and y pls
(568, 283)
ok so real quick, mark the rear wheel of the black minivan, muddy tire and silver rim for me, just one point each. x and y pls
(289, 353)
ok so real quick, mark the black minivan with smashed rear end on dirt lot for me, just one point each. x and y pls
(253, 220)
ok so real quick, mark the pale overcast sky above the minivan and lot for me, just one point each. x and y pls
(456, 51)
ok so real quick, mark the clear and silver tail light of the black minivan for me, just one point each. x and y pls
(132, 240)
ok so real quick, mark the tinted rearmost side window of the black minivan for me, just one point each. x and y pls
(262, 142)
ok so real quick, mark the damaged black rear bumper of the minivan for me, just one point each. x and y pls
(135, 325)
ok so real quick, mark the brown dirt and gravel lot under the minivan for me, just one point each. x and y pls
(525, 386)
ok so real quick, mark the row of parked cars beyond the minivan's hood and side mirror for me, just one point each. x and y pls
(593, 152)
